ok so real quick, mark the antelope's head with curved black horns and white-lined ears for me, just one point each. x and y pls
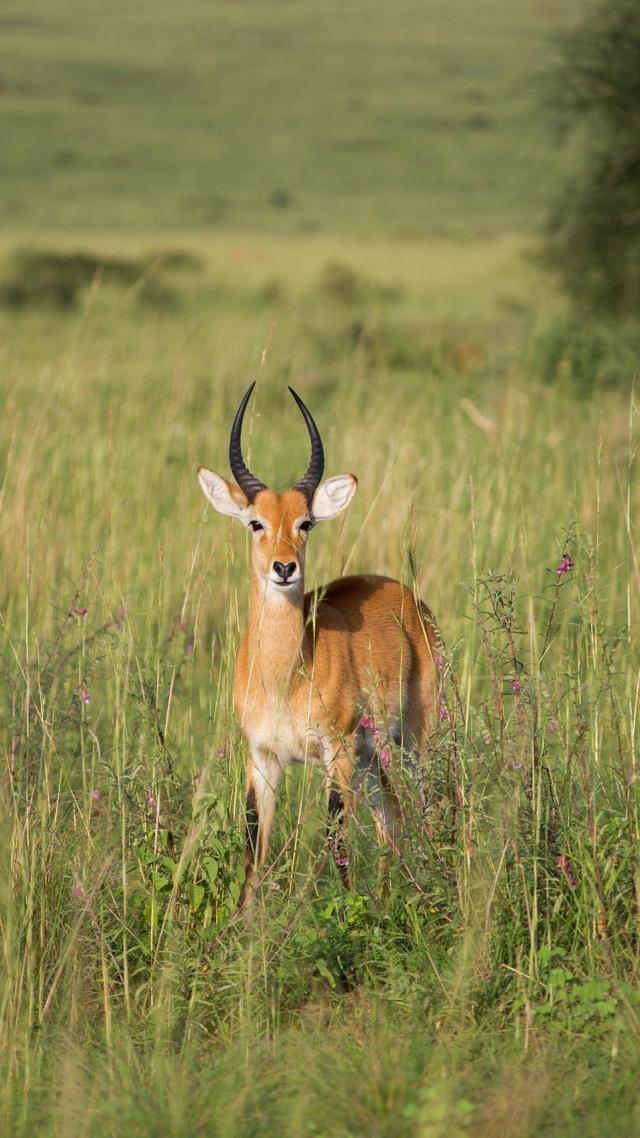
(280, 523)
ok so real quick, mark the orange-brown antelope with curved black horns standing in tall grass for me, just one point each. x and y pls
(316, 672)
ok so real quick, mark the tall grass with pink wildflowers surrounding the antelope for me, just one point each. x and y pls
(495, 991)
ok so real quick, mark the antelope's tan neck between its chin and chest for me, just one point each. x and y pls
(276, 634)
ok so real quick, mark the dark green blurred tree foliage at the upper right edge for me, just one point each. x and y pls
(594, 232)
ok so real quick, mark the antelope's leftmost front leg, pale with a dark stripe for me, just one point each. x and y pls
(264, 777)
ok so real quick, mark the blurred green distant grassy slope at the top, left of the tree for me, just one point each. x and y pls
(413, 120)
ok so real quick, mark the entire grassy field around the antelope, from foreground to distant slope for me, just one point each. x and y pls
(348, 200)
